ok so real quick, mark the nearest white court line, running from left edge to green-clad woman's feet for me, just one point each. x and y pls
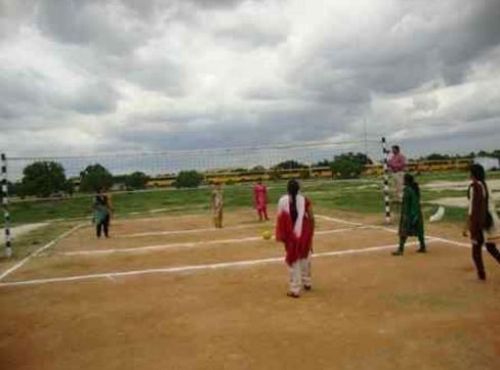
(189, 268)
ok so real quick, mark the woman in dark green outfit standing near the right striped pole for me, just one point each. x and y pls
(411, 222)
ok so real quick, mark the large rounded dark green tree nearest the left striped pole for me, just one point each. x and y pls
(43, 178)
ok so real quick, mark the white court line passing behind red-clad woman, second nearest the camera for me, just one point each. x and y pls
(94, 252)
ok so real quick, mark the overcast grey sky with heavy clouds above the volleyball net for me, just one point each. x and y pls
(89, 76)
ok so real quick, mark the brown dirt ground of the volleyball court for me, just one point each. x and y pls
(367, 310)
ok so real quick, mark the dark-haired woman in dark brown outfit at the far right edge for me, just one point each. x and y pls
(482, 222)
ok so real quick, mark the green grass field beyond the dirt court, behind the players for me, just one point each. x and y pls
(360, 196)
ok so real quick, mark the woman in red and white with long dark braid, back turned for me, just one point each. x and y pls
(295, 228)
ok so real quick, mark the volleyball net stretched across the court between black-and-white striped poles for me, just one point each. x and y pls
(161, 168)
